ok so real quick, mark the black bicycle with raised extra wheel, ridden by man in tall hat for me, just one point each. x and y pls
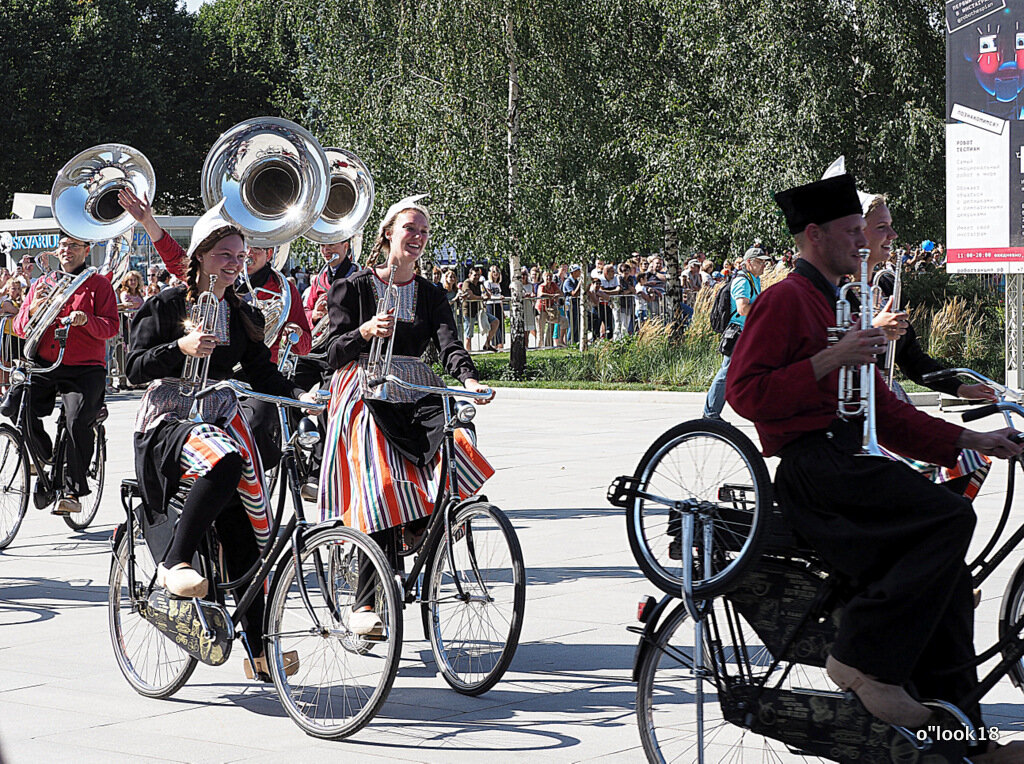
(737, 672)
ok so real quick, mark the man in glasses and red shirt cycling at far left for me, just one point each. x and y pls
(80, 378)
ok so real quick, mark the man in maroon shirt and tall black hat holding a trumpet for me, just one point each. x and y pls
(875, 521)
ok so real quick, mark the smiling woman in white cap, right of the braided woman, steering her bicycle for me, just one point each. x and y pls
(381, 459)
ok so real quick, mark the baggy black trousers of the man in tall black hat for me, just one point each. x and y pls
(903, 540)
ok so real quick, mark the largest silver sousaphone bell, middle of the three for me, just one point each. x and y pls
(273, 176)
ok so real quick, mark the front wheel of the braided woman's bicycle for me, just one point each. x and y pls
(336, 690)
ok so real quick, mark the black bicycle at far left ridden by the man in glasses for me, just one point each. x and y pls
(21, 457)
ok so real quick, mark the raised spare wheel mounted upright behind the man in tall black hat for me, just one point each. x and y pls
(717, 473)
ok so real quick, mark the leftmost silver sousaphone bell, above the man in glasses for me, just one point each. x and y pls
(84, 197)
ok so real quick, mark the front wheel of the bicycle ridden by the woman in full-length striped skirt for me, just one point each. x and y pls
(475, 633)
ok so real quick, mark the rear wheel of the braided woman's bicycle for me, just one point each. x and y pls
(154, 666)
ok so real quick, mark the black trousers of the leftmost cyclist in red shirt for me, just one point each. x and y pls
(81, 390)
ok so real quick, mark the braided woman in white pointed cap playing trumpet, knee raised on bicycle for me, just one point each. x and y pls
(214, 454)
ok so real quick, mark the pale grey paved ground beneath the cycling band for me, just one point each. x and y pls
(568, 697)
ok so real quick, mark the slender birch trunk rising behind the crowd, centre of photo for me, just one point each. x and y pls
(518, 352)
